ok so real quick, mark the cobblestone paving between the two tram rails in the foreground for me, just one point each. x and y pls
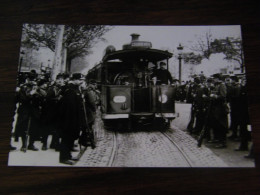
(147, 149)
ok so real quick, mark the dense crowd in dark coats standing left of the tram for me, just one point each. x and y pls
(64, 108)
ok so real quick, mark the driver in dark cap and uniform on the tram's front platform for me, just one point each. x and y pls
(163, 76)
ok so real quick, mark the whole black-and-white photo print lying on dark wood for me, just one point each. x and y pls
(131, 96)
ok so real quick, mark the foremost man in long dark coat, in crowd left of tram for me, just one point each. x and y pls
(71, 118)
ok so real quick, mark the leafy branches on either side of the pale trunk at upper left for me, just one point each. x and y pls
(78, 39)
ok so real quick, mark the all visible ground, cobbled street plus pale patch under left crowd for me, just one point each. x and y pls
(172, 148)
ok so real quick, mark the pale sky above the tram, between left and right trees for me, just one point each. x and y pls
(162, 37)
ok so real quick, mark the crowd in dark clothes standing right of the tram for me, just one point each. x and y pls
(213, 99)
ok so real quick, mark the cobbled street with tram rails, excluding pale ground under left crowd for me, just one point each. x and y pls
(154, 149)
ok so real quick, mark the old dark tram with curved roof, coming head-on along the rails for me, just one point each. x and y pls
(128, 89)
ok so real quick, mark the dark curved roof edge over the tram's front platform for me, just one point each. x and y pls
(130, 54)
